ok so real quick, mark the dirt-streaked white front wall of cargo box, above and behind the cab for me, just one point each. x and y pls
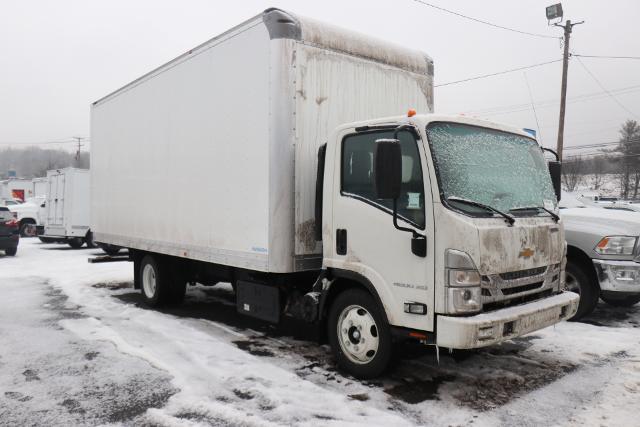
(336, 88)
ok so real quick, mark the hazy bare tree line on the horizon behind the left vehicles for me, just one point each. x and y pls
(33, 162)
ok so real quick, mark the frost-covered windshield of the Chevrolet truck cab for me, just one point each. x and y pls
(502, 170)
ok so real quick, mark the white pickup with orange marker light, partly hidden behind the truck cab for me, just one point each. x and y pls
(603, 254)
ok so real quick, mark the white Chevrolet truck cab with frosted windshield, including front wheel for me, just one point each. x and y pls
(451, 224)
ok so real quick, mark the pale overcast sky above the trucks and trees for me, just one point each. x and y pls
(56, 57)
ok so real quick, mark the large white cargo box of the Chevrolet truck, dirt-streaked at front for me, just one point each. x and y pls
(213, 156)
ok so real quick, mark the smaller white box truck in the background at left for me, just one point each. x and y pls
(67, 207)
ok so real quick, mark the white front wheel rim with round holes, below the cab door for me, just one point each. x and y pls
(358, 334)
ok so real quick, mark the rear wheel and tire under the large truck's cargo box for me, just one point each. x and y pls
(158, 285)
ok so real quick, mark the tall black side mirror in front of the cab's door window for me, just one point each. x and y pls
(387, 168)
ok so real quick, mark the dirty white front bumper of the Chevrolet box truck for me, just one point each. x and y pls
(489, 328)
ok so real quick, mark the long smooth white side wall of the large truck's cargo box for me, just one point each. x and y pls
(179, 160)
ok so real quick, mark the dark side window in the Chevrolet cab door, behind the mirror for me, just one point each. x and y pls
(357, 174)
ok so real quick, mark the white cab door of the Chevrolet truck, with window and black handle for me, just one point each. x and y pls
(365, 239)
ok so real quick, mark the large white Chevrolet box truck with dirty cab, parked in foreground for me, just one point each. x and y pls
(294, 174)
